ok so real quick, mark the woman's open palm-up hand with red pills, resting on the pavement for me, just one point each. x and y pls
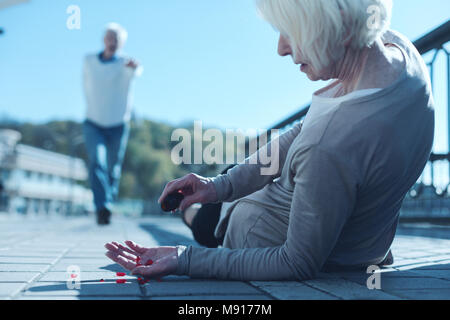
(148, 262)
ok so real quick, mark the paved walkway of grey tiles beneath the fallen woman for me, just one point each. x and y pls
(35, 254)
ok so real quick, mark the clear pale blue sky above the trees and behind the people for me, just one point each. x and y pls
(207, 60)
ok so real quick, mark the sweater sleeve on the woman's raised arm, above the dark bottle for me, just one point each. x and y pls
(253, 174)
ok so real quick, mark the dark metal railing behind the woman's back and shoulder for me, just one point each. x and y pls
(433, 42)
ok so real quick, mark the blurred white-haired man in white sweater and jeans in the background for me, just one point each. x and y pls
(107, 78)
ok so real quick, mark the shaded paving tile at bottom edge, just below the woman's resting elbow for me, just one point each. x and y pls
(291, 290)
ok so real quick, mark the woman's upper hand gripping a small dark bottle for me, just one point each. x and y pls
(196, 189)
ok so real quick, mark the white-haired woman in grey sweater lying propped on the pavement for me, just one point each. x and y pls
(343, 172)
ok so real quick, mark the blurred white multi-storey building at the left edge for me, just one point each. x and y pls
(34, 180)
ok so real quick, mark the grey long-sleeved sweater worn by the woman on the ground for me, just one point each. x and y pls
(342, 180)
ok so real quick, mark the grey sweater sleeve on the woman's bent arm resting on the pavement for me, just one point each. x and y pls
(324, 197)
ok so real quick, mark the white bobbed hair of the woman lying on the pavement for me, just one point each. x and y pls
(320, 27)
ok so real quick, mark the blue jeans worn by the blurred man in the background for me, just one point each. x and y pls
(106, 149)
